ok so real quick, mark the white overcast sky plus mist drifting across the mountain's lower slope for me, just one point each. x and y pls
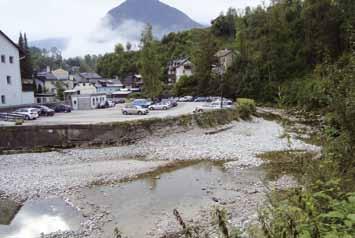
(80, 21)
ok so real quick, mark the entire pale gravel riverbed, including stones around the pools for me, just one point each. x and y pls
(70, 173)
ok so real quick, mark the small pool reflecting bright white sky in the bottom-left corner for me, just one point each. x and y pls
(37, 217)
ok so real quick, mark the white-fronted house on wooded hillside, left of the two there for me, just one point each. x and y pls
(178, 69)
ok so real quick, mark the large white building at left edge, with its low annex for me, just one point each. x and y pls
(11, 92)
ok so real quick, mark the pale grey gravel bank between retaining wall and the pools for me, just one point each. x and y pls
(27, 175)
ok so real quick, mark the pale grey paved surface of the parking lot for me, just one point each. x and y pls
(110, 115)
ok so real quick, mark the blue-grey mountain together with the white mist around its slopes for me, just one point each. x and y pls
(122, 24)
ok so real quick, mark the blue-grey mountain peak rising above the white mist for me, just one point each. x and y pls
(162, 17)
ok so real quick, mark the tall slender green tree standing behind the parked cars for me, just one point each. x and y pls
(149, 64)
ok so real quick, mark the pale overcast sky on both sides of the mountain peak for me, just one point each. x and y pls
(79, 18)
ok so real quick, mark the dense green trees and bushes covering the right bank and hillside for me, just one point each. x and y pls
(299, 54)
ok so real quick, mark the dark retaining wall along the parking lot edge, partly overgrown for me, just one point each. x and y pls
(67, 136)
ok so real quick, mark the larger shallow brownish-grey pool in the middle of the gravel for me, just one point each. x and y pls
(146, 200)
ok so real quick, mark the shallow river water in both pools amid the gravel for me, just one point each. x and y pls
(139, 206)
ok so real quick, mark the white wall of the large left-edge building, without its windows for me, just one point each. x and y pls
(12, 93)
